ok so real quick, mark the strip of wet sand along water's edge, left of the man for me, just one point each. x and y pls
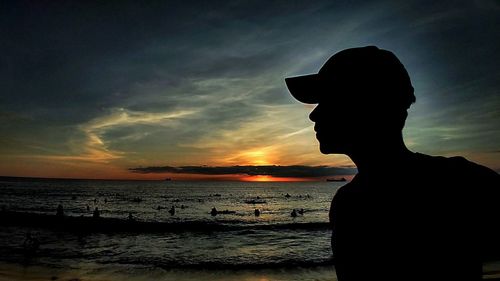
(14, 272)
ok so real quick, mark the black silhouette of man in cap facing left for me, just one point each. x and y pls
(405, 215)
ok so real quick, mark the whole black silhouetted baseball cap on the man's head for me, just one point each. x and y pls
(367, 75)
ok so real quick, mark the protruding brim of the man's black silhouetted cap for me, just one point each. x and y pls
(304, 88)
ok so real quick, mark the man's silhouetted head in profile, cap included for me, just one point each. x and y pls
(362, 94)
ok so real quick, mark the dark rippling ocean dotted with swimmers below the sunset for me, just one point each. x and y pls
(185, 241)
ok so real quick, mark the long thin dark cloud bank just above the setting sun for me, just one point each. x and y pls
(271, 170)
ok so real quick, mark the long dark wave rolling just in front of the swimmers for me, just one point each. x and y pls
(83, 224)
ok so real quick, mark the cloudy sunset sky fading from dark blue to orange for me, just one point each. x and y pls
(195, 89)
